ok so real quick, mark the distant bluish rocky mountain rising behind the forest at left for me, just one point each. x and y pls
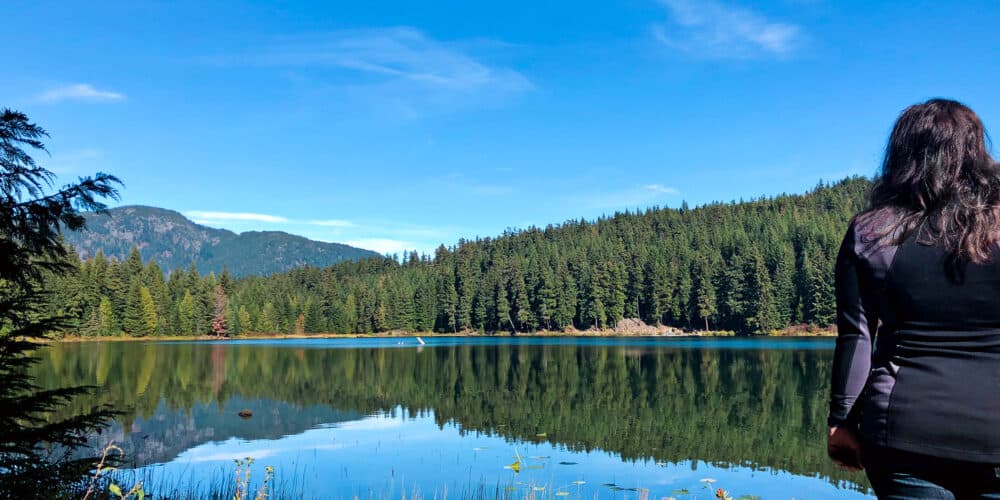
(174, 242)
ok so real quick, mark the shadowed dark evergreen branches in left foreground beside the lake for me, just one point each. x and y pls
(35, 449)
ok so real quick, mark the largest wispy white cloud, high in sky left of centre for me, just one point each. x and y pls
(400, 67)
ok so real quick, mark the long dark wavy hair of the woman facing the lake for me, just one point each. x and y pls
(938, 177)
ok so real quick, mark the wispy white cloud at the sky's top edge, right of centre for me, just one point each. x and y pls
(707, 28)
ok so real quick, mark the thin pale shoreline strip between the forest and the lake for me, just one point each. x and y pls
(789, 332)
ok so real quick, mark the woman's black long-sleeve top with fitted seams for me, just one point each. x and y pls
(917, 362)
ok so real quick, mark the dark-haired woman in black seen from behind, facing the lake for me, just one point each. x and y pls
(922, 267)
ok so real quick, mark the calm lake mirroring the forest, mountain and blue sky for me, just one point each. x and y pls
(388, 418)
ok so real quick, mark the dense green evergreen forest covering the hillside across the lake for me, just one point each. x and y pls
(750, 267)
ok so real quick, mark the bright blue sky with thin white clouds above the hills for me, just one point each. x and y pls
(396, 125)
